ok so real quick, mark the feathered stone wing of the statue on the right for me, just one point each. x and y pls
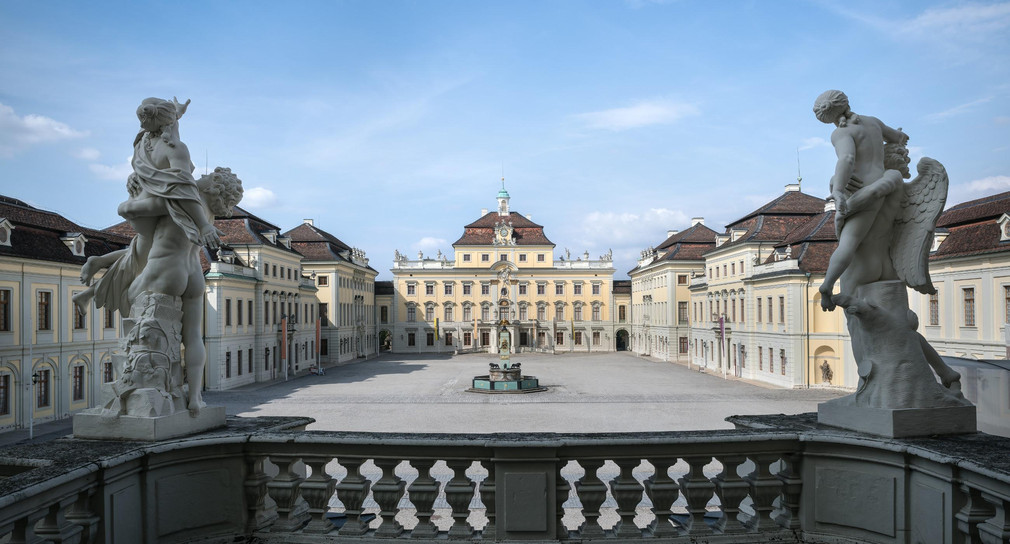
(915, 226)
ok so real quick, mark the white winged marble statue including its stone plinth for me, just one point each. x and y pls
(885, 230)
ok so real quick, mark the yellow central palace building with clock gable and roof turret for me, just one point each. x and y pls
(504, 268)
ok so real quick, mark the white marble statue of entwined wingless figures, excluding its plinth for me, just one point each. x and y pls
(158, 281)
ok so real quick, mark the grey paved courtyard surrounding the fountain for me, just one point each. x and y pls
(588, 393)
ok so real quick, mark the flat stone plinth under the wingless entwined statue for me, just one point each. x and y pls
(93, 424)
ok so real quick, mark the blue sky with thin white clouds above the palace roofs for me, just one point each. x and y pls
(391, 124)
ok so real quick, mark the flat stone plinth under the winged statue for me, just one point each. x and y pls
(898, 423)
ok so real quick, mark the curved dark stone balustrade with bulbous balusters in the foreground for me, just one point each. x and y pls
(777, 479)
